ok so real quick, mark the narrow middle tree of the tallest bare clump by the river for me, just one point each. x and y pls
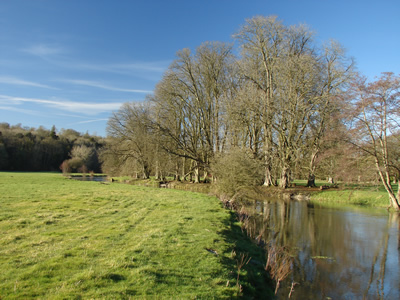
(296, 98)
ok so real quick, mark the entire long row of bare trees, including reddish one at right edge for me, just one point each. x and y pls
(284, 102)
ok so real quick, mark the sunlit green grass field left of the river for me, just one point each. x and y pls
(66, 239)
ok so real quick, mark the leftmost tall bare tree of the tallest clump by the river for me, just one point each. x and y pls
(261, 42)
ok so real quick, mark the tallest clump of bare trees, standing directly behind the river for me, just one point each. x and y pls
(297, 82)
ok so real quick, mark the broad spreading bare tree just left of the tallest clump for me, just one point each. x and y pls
(189, 103)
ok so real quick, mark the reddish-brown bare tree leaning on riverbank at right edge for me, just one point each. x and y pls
(374, 116)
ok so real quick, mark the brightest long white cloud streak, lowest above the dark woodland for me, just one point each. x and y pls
(86, 108)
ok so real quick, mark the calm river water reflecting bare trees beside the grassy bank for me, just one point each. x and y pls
(335, 253)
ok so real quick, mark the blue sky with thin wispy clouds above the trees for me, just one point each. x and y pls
(71, 63)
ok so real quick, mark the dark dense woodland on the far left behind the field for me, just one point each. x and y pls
(30, 149)
